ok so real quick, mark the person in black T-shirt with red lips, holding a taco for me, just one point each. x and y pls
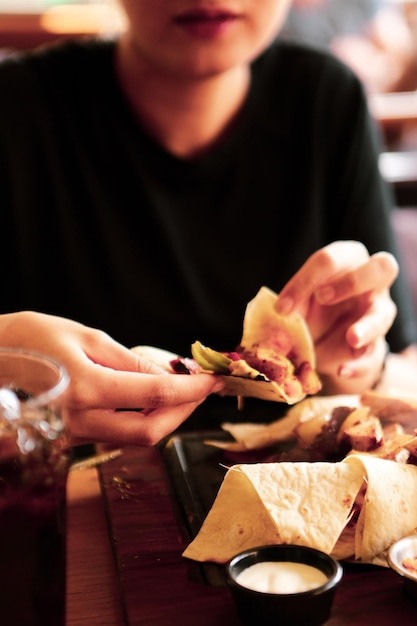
(150, 184)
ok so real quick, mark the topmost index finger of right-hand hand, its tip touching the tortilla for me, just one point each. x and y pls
(328, 262)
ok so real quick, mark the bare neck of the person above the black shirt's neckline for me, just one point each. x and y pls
(186, 116)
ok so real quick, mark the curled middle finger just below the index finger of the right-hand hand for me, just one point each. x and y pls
(378, 273)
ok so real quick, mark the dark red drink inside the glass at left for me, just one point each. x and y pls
(32, 530)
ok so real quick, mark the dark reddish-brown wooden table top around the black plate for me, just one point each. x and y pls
(135, 575)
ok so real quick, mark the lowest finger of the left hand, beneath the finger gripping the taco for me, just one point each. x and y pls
(125, 427)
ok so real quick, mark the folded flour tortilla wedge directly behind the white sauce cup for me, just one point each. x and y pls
(303, 503)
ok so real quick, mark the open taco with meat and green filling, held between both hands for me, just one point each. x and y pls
(275, 359)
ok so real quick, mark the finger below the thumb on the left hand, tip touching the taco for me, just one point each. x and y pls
(105, 388)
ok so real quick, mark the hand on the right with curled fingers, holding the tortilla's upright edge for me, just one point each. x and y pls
(343, 293)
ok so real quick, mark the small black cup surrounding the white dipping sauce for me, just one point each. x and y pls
(257, 608)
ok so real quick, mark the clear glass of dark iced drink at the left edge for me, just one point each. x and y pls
(34, 463)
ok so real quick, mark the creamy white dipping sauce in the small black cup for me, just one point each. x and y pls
(281, 577)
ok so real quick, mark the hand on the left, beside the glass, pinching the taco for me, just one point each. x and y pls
(104, 376)
